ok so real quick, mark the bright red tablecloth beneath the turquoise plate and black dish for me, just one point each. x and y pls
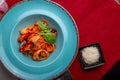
(97, 21)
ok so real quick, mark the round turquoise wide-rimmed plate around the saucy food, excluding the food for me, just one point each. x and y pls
(27, 13)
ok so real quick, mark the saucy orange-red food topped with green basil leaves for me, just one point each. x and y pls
(38, 40)
